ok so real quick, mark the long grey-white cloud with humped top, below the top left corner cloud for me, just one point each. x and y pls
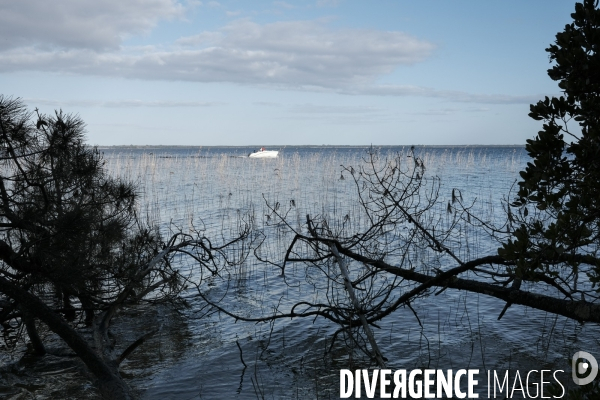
(298, 54)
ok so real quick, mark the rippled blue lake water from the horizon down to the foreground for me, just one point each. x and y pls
(212, 189)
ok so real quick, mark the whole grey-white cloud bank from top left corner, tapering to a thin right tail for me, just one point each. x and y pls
(81, 37)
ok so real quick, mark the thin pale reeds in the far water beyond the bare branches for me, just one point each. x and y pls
(213, 192)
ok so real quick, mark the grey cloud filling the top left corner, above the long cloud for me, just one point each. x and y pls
(69, 24)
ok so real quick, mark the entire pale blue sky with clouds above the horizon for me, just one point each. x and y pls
(321, 72)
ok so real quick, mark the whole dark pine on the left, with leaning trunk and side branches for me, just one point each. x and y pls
(72, 244)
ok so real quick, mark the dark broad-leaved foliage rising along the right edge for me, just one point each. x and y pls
(557, 210)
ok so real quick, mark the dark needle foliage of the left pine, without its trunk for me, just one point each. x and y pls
(66, 229)
